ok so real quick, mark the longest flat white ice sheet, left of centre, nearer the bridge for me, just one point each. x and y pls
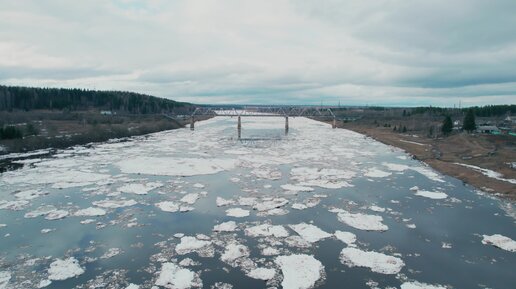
(167, 166)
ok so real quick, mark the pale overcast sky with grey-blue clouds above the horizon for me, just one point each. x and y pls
(352, 52)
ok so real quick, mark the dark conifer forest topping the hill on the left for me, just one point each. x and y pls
(29, 98)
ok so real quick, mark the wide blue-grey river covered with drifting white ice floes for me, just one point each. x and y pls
(318, 208)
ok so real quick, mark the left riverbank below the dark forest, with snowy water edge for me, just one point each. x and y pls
(57, 131)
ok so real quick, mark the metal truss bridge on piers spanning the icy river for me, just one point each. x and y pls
(264, 111)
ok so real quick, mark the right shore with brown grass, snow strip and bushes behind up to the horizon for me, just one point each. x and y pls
(485, 161)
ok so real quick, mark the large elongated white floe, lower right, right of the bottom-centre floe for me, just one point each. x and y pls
(377, 262)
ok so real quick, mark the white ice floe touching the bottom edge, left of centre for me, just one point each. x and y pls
(174, 277)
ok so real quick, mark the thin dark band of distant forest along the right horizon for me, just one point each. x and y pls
(481, 111)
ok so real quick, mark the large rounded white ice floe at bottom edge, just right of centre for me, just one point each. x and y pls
(299, 271)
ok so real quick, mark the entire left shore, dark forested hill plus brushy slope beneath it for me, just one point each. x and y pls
(42, 118)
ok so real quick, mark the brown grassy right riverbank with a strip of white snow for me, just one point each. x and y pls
(483, 161)
